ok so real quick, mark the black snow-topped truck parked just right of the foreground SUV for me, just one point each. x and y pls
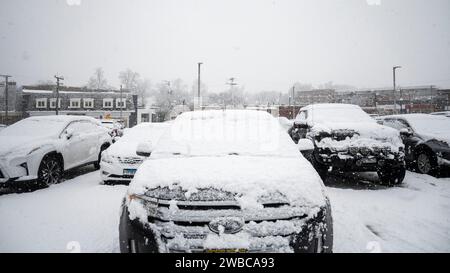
(342, 137)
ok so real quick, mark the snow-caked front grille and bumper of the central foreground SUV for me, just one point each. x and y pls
(277, 229)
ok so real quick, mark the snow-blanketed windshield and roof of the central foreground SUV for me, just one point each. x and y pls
(225, 132)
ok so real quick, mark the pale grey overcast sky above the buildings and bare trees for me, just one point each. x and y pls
(265, 44)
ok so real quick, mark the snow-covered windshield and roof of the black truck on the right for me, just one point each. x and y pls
(337, 114)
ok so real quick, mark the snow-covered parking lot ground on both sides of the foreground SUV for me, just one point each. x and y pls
(80, 214)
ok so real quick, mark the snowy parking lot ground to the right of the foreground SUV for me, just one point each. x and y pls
(414, 217)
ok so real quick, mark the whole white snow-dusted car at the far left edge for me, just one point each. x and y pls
(38, 150)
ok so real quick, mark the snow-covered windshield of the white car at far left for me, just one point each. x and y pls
(34, 127)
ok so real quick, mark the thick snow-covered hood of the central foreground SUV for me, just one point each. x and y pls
(248, 179)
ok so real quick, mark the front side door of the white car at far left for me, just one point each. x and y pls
(75, 150)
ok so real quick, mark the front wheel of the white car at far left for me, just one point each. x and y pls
(50, 171)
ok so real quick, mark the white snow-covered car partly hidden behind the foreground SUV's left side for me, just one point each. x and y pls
(120, 161)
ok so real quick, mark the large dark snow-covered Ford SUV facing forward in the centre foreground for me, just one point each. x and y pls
(225, 181)
